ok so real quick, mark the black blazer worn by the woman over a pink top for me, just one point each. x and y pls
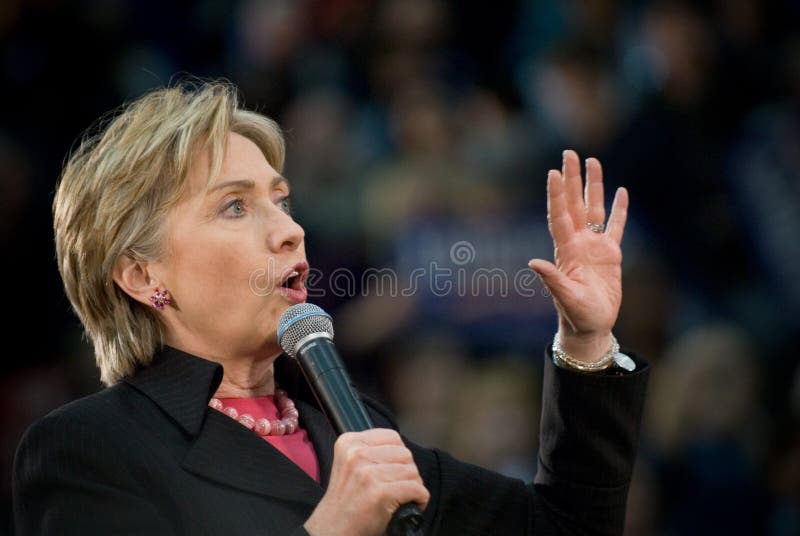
(148, 456)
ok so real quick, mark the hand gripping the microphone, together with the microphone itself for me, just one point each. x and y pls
(374, 480)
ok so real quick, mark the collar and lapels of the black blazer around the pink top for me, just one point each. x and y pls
(223, 450)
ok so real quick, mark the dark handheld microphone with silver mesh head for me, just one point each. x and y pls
(305, 332)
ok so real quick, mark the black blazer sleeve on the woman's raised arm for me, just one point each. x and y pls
(589, 433)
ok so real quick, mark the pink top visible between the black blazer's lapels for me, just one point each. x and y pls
(297, 446)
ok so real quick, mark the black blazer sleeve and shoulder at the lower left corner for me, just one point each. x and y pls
(68, 479)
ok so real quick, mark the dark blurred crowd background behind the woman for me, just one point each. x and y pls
(415, 125)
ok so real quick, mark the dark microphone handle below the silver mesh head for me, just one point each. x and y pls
(325, 373)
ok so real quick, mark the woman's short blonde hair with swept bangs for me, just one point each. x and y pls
(113, 196)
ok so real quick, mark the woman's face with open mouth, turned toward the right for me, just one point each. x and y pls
(230, 250)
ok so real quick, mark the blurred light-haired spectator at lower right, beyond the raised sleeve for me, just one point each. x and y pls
(705, 426)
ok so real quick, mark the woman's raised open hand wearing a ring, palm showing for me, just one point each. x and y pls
(586, 279)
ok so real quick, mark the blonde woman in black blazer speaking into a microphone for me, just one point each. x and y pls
(161, 221)
